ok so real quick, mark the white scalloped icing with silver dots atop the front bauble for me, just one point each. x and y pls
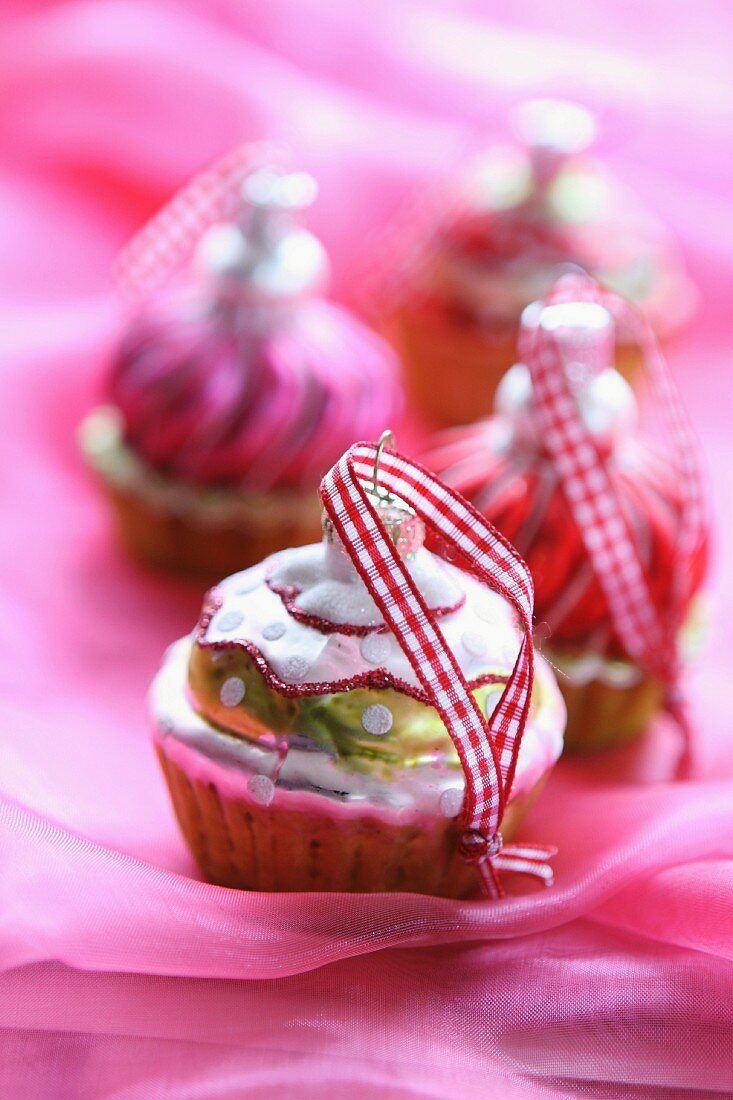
(305, 655)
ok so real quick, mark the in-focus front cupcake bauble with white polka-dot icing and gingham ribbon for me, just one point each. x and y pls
(359, 714)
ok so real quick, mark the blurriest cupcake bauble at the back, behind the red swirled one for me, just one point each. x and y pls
(520, 215)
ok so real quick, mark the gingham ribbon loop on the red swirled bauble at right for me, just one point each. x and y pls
(648, 635)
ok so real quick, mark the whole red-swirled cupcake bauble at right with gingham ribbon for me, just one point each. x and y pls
(611, 526)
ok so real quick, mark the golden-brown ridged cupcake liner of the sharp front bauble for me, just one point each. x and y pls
(315, 843)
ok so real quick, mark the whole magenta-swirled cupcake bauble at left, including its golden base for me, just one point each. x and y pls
(232, 394)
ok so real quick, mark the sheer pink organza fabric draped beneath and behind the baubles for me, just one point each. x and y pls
(124, 976)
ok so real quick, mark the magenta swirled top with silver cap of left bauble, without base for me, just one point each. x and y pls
(246, 378)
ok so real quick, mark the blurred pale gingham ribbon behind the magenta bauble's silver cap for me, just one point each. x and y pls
(167, 241)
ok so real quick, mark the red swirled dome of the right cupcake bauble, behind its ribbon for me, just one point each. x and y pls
(517, 489)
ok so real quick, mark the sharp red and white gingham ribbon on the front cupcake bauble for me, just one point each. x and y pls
(487, 750)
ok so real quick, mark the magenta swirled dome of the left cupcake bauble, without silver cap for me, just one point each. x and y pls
(212, 399)
